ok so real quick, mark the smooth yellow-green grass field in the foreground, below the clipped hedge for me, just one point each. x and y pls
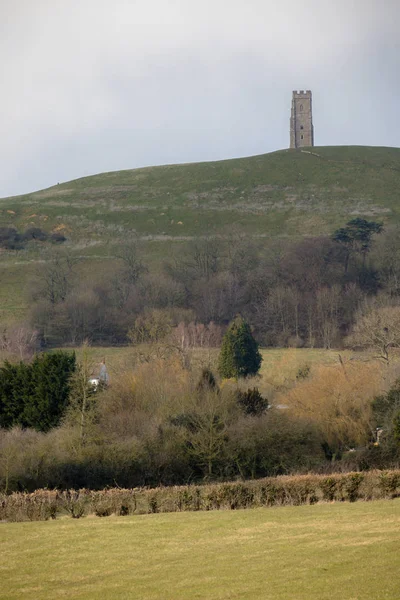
(346, 551)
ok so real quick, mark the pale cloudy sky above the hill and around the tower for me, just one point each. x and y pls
(101, 85)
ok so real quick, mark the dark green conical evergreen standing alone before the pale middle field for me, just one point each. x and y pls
(239, 356)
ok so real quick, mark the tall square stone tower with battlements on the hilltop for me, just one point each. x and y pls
(301, 126)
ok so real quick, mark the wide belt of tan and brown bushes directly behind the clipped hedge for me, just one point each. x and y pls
(165, 424)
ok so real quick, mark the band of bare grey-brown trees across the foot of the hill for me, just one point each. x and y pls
(306, 293)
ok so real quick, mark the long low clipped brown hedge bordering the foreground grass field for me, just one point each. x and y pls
(289, 490)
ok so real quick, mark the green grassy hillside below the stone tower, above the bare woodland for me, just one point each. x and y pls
(285, 193)
